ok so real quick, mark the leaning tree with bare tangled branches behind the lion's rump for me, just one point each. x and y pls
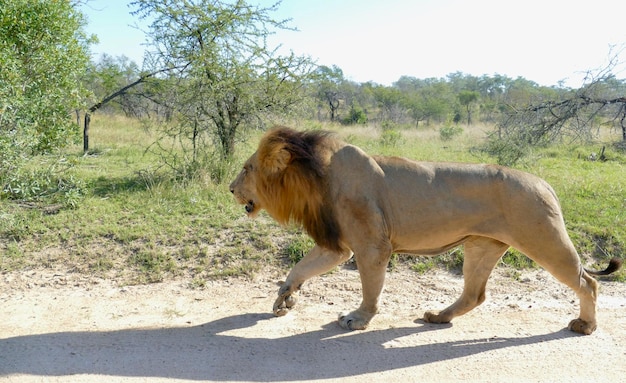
(545, 115)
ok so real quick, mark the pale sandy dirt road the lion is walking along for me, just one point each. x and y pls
(56, 328)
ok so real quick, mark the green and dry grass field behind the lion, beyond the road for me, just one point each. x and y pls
(133, 223)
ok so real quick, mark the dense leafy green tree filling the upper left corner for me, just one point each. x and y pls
(43, 54)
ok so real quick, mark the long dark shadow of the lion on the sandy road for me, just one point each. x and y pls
(205, 352)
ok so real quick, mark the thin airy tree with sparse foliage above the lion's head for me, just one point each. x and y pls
(224, 75)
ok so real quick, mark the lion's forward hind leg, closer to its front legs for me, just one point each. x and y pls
(481, 256)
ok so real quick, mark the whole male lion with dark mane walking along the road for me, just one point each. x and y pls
(353, 203)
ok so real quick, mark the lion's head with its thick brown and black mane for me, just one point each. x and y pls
(286, 176)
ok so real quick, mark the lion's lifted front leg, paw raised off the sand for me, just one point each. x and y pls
(316, 262)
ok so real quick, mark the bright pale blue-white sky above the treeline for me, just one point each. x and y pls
(545, 41)
